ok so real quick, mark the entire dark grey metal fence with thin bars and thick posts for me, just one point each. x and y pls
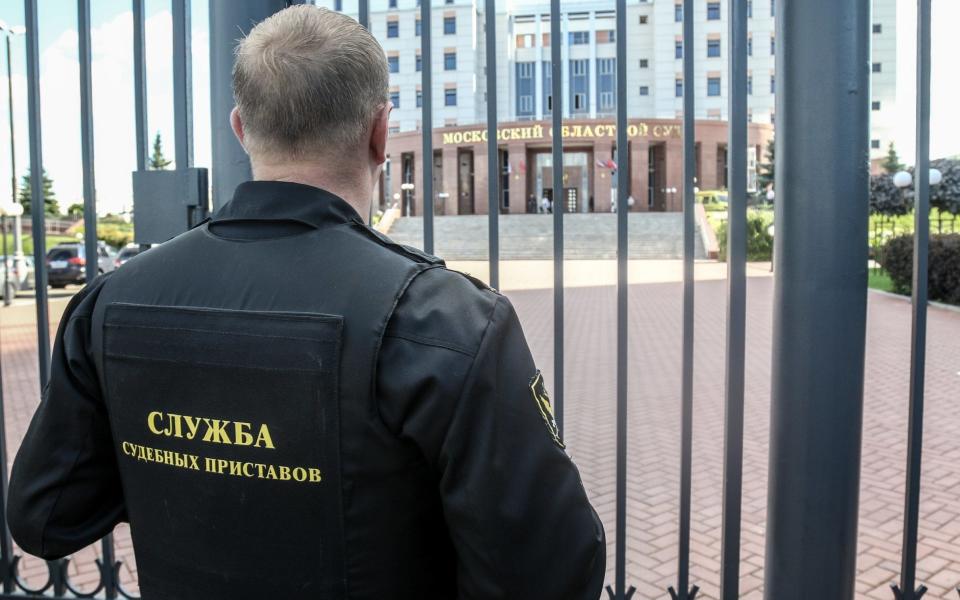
(817, 389)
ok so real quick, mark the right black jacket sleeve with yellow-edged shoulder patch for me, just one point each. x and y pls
(515, 506)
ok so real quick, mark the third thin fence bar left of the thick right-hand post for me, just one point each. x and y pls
(623, 157)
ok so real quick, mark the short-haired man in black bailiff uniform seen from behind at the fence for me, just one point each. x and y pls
(285, 404)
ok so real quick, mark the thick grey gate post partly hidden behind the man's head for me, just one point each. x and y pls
(228, 21)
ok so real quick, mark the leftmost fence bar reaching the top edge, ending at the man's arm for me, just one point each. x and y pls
(36, 188)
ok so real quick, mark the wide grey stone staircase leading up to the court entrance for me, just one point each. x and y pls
(530, 237)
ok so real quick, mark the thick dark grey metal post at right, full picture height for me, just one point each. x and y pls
(822, 102)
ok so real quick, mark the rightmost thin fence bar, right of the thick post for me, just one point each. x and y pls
(907, 589)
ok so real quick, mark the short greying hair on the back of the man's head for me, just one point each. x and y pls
(308, 81)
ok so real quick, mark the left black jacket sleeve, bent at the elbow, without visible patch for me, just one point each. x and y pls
(65, 488)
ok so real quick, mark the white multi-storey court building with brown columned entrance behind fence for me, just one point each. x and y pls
(655, 84)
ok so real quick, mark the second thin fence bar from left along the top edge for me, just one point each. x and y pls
(86, 140)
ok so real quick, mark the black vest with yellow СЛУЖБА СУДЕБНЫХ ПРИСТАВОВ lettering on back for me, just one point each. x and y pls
(233, 374)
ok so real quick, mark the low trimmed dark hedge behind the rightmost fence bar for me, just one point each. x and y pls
(943, 271)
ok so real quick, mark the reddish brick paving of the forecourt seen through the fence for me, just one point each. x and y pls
(653, 452)
